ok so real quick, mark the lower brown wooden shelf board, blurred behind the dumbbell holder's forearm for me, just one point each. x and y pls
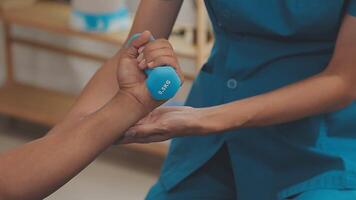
(48, 107)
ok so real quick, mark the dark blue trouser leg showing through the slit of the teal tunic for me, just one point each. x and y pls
(213, 181)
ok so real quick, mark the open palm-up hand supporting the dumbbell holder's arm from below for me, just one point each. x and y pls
(168, 122)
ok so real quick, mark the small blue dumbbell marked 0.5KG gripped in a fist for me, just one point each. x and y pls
(162, 82)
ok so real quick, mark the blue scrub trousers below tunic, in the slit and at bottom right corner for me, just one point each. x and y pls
(215, 181)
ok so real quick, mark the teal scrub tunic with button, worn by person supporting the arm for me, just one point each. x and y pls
(261, 46)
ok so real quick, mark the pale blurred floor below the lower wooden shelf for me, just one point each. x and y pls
(117, 174)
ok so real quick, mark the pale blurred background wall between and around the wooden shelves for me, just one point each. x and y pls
(66, 73)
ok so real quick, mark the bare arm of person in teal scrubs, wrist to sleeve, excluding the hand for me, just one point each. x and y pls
(332, 89)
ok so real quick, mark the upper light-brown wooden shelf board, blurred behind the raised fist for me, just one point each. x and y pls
(54, 17)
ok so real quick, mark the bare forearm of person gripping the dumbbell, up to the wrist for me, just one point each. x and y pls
(37, 169)
